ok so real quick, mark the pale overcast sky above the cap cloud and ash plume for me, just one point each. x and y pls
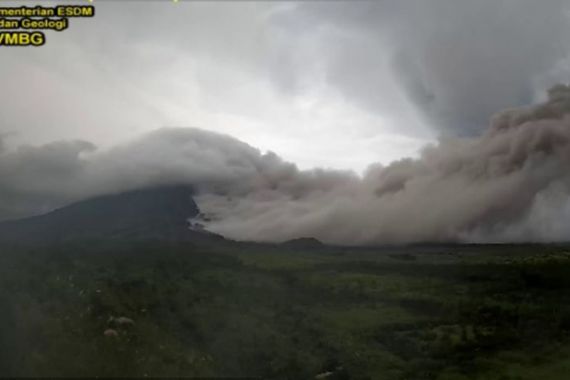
(327, 84)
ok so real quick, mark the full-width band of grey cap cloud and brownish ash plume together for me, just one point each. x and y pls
(510, 184)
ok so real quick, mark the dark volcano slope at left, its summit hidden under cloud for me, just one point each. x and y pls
(154, 213)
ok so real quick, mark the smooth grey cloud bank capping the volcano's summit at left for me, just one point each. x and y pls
(36, 179)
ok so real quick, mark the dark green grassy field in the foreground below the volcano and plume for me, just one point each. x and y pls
(447, 312)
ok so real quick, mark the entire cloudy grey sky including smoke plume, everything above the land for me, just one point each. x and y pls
(107, 106)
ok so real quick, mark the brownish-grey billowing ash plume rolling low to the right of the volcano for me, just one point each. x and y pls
(511, 184)
